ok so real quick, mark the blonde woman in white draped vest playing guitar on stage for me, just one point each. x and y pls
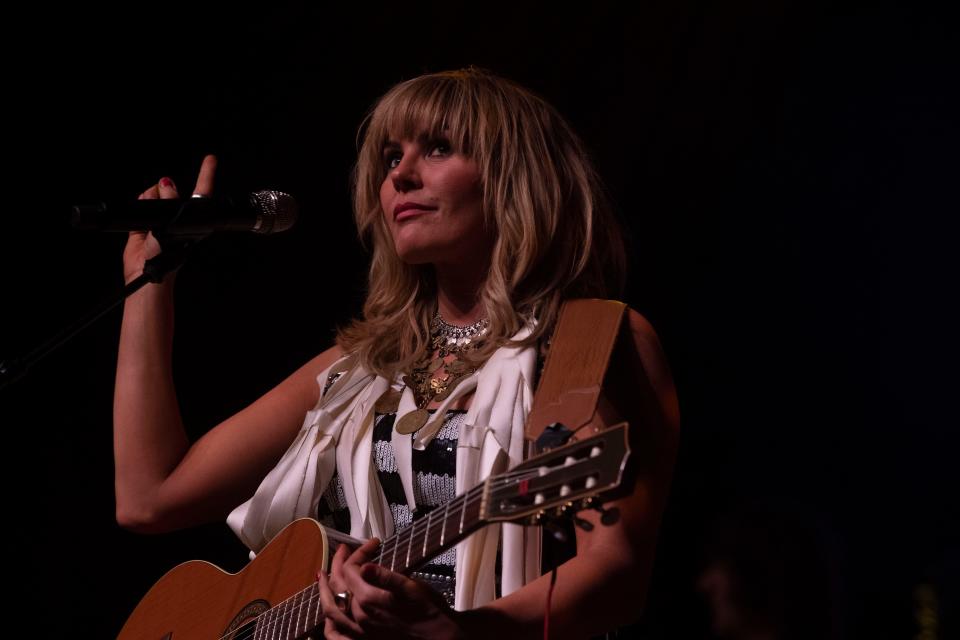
(484, 214)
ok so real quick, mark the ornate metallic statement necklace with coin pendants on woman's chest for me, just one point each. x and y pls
(435, 377)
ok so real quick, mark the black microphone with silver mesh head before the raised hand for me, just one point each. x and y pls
(260, 212)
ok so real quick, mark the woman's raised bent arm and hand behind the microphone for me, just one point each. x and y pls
(162, 482)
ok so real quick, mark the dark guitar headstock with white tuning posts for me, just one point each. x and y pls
(560, 480)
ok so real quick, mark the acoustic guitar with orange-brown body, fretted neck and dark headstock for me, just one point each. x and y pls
(276, 596)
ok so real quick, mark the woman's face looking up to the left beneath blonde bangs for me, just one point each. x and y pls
(432, 203)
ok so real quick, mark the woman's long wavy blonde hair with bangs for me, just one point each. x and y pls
(556, 235)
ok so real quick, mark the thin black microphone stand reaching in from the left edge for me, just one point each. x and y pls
(174, 254)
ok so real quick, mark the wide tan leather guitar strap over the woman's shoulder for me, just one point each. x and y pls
(570, 388)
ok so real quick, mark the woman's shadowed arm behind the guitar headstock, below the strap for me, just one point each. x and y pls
(604, 586)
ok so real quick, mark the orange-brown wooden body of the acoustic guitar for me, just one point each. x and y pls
(199, 601)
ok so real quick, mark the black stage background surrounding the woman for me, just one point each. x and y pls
(788, 175)
